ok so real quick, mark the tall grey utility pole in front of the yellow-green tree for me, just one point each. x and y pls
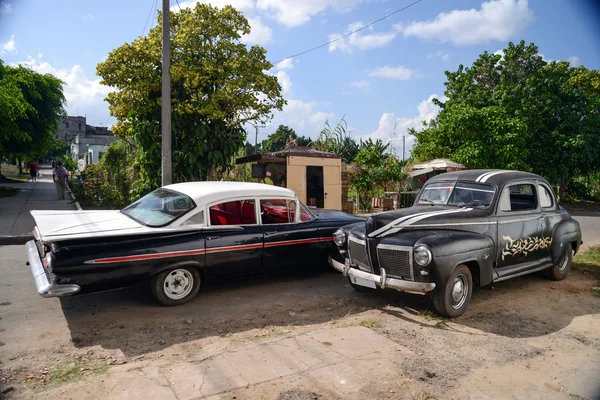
(167, 174)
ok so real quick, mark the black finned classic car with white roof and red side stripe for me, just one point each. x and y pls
(177, 237)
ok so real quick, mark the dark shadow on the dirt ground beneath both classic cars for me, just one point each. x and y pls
(130, 319)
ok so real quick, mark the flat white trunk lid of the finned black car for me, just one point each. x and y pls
(53, 224)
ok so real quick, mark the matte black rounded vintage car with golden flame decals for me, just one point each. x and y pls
(478, 226)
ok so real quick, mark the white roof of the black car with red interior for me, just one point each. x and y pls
(209, 192)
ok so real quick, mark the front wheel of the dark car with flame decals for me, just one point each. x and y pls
(452, 299)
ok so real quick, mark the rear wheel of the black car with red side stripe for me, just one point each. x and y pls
(176, 286)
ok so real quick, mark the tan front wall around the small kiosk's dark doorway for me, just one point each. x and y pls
(332, 170)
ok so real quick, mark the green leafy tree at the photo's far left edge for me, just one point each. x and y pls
(30, 104)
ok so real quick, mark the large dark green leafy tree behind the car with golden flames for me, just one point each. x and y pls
(517, 111)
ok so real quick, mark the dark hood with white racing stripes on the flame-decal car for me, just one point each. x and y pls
(423, 217)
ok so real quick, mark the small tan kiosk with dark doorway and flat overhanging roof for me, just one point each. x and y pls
(315, 176)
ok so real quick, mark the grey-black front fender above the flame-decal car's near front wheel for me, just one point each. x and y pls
(450, 249)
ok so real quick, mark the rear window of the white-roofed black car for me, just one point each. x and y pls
(159, 208)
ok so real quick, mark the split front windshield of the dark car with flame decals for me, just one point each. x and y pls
(459, 194)
